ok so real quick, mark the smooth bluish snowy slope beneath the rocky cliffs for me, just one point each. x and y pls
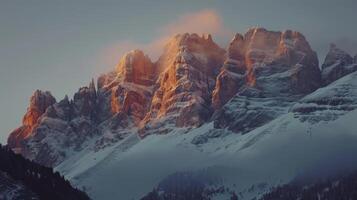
(275, 153)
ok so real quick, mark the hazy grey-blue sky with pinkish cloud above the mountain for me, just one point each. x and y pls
(60, 45)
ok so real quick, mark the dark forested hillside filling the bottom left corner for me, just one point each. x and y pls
(23, 179)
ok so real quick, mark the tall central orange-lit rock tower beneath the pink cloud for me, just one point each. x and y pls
(190, 64)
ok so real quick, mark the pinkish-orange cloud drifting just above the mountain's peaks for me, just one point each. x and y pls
(201, 22)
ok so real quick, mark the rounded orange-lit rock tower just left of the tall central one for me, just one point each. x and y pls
(129, 88)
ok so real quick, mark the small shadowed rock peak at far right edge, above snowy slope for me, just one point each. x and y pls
(337, 64)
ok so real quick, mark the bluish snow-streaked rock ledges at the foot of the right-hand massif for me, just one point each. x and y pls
(247, 111)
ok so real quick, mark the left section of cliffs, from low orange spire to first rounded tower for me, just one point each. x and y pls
(51, 131)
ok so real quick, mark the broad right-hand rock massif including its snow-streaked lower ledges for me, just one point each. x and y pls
(265, 71)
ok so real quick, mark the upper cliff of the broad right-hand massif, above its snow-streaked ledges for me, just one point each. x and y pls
(274, 62)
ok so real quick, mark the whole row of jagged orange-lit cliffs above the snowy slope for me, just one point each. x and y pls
(260, 75)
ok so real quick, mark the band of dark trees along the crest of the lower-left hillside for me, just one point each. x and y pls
(43, 181)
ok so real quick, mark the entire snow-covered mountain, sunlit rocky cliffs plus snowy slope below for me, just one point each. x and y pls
(254, 116)
